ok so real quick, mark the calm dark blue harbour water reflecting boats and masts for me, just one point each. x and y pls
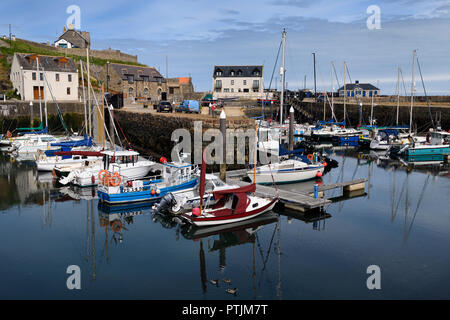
(401, 223)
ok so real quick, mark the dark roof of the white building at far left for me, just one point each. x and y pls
(48, 63)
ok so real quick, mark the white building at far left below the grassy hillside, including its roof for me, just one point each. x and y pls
(57, 76)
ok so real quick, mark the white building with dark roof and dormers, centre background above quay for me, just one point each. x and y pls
(238, 82)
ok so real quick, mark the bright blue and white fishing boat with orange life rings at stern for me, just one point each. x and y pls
(176, 176)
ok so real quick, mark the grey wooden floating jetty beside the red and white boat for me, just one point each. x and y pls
(299, 201)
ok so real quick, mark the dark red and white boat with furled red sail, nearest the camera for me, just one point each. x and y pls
(230, 205)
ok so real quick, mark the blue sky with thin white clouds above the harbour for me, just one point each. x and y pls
(195, 35)
